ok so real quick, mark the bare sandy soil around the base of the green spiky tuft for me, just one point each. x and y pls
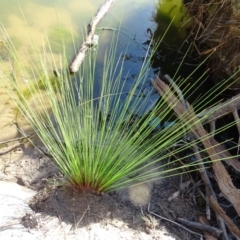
(62, 211)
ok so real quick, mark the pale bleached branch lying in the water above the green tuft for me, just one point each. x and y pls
(88, 41)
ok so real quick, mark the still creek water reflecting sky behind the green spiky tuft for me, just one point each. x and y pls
(28, 22)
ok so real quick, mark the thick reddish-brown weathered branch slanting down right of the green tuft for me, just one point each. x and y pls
(211, 145)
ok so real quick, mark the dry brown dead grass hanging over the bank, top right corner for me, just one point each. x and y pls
(216, 29)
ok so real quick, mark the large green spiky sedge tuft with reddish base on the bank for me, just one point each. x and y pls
(102, 135)
